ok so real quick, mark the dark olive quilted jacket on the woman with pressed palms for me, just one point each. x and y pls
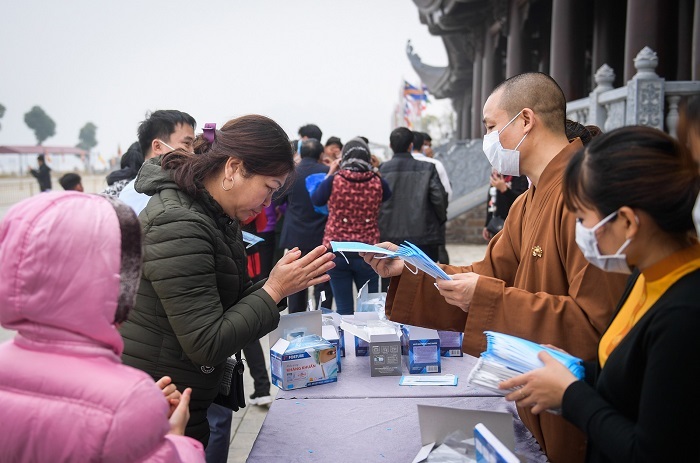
(196, 305)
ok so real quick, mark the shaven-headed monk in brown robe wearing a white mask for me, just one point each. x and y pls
(534, 282)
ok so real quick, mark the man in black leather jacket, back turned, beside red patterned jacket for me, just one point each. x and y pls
(418, 205)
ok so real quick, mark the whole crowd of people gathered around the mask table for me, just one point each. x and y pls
(128, 320)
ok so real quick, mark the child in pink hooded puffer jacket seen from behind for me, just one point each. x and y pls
(69, 269)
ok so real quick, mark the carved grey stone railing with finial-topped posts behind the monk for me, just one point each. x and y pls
(647, 99)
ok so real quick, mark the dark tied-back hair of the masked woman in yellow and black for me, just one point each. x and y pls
(639, 167)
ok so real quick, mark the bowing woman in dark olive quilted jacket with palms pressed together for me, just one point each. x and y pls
(196, 305)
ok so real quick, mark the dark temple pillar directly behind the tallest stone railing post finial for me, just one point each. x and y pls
(642, 30)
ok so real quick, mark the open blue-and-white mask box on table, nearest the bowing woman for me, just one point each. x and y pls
(314, 363)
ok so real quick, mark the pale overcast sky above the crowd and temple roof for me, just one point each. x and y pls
(337, 64)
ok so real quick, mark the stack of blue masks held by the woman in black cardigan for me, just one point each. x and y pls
(508, 356)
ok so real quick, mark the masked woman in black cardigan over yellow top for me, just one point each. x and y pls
(633, 191)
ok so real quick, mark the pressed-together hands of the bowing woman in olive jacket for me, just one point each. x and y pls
(293, 273)
